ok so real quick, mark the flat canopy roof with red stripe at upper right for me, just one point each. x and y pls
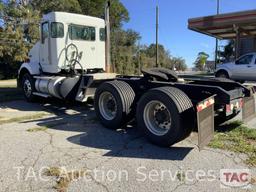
(226, 26)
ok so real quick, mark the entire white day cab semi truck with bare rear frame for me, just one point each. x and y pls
(69, 63)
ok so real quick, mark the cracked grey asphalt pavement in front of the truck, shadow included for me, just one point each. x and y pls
(69, 138)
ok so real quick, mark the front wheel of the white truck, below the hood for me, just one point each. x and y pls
(28, 87)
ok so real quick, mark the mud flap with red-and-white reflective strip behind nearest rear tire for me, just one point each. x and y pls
(205, 121)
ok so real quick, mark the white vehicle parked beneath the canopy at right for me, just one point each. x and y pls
(243, 69)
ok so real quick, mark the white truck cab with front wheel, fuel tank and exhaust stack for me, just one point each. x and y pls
(67, 60)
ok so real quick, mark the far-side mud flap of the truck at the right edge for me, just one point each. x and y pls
(248, 111)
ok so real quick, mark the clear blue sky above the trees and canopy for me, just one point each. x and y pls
(173, 17)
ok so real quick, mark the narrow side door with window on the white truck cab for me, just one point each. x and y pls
(44, 48)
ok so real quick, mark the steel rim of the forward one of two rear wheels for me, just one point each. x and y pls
(107, 106)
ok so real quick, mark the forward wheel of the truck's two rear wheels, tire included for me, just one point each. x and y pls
(114, 103)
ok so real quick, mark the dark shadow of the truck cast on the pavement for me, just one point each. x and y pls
(121, 143)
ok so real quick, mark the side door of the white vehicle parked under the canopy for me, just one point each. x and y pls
(242, 68)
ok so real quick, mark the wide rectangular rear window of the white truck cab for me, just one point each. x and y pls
(78, 32)
